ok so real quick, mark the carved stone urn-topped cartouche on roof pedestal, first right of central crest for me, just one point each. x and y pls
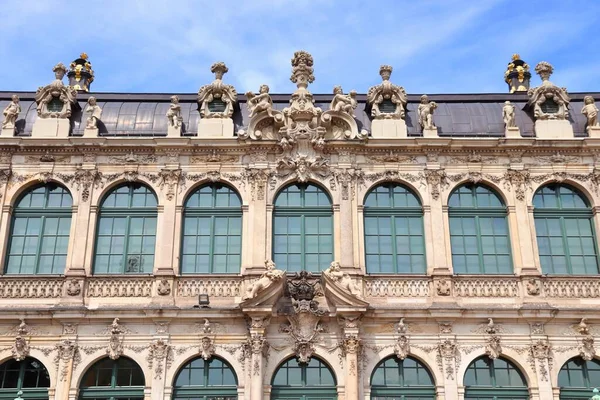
(387, 92)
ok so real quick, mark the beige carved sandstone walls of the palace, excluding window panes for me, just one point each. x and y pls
(443, 319)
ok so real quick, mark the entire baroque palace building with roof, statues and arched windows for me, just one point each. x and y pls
(347, 246)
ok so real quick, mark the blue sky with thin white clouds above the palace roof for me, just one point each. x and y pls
(435, 46)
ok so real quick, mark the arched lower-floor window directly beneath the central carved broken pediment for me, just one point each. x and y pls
(313, 380)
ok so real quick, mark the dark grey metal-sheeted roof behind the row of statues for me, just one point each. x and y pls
(143, 114)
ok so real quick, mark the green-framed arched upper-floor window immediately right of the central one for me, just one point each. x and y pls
(394, 241)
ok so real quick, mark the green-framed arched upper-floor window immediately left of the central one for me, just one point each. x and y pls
(212, 231)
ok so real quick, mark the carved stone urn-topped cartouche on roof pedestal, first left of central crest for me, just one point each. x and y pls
(217, 99)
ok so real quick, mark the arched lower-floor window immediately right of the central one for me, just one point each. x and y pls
(397, 379)
